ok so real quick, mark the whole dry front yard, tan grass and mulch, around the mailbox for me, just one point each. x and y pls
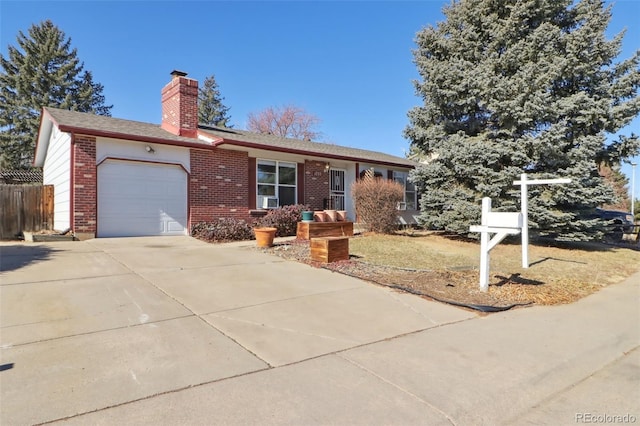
(446, 269)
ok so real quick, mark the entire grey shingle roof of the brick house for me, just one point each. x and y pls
(127, 129)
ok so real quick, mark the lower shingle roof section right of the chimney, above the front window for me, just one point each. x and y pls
(276, 143)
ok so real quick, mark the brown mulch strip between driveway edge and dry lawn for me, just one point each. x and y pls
(456, 287)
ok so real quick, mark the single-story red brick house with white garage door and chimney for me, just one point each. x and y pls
(115, 177)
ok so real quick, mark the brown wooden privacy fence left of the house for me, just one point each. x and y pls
(25, 208)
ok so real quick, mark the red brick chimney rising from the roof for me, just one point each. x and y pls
(180, 105)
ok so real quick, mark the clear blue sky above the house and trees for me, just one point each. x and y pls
(348, 62)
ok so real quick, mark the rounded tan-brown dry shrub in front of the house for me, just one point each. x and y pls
(376, 202)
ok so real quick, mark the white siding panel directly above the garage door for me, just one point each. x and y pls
(120, 149)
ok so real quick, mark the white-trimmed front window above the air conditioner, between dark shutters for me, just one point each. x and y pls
(277, 179)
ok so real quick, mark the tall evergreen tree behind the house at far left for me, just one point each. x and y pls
(42, 70)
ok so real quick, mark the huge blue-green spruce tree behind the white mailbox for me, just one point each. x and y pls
(515, 86)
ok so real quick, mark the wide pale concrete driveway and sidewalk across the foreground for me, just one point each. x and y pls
(176, 331)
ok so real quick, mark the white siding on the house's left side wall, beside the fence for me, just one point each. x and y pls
(57, 172)
